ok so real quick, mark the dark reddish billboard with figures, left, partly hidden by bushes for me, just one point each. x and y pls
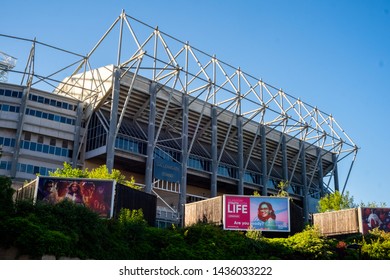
(96, 194)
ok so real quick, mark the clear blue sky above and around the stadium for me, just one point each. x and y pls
(333, 54)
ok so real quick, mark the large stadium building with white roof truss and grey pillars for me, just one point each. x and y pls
(186, 125)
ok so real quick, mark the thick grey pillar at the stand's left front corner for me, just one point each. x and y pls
(110, 146)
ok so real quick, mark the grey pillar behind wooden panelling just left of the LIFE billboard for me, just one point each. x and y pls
(214, 152)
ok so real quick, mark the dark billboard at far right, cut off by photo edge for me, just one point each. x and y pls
(374, 217)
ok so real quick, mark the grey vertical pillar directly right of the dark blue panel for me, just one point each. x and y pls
(184, 158)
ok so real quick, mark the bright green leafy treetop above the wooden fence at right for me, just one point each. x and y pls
(335, 201)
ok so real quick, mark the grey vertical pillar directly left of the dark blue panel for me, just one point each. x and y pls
(151, 132)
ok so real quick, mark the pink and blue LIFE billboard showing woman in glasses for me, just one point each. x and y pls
(263, 213)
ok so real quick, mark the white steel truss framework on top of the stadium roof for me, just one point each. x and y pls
(179, 67)
